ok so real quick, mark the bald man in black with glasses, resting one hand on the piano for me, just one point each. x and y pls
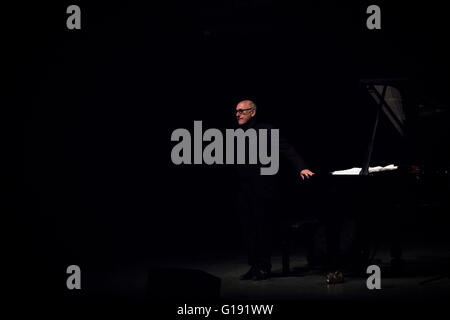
(256, 201)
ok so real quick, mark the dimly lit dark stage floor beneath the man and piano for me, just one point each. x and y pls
(130, 280)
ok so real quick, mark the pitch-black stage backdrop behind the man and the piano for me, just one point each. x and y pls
(88, 113)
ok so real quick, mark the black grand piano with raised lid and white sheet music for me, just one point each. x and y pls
(357, 208)
